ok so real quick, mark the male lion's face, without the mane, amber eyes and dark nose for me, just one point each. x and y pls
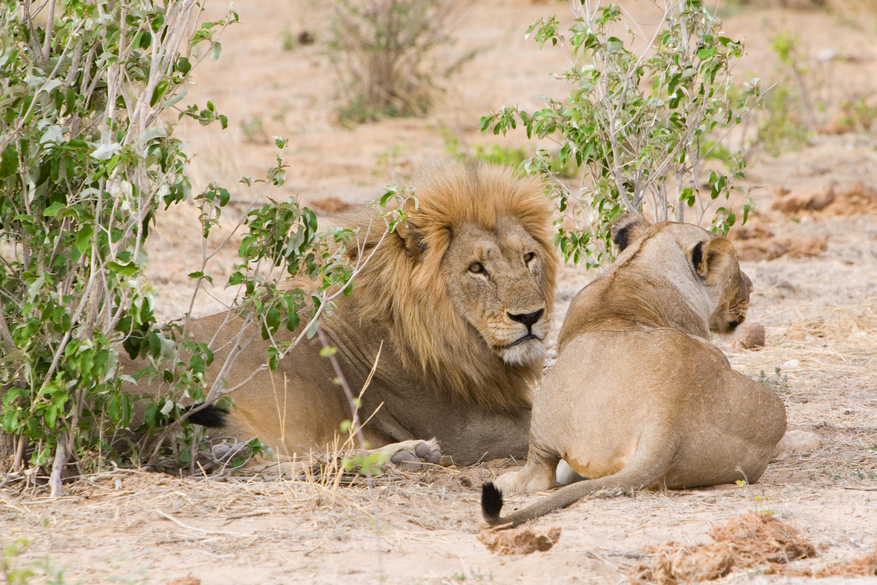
(497, 282)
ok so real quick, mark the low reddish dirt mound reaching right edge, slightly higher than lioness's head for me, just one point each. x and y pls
(840, 200)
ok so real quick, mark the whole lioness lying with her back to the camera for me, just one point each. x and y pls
(638, 396)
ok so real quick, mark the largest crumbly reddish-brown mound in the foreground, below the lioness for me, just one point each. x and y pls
(745, 541)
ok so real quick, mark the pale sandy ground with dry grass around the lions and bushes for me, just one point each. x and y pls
(819, 310)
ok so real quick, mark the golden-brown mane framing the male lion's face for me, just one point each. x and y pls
(409, 295)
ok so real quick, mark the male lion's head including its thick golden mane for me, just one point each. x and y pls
(466, 283)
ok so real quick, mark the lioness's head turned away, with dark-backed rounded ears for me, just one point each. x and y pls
(711, 259)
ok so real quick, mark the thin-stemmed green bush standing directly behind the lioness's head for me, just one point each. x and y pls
(637, 122)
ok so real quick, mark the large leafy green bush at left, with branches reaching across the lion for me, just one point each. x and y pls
(86, 158)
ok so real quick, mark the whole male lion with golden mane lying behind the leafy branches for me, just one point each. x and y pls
(460, 296)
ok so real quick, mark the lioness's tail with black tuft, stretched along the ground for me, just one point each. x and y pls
(646, 466)
